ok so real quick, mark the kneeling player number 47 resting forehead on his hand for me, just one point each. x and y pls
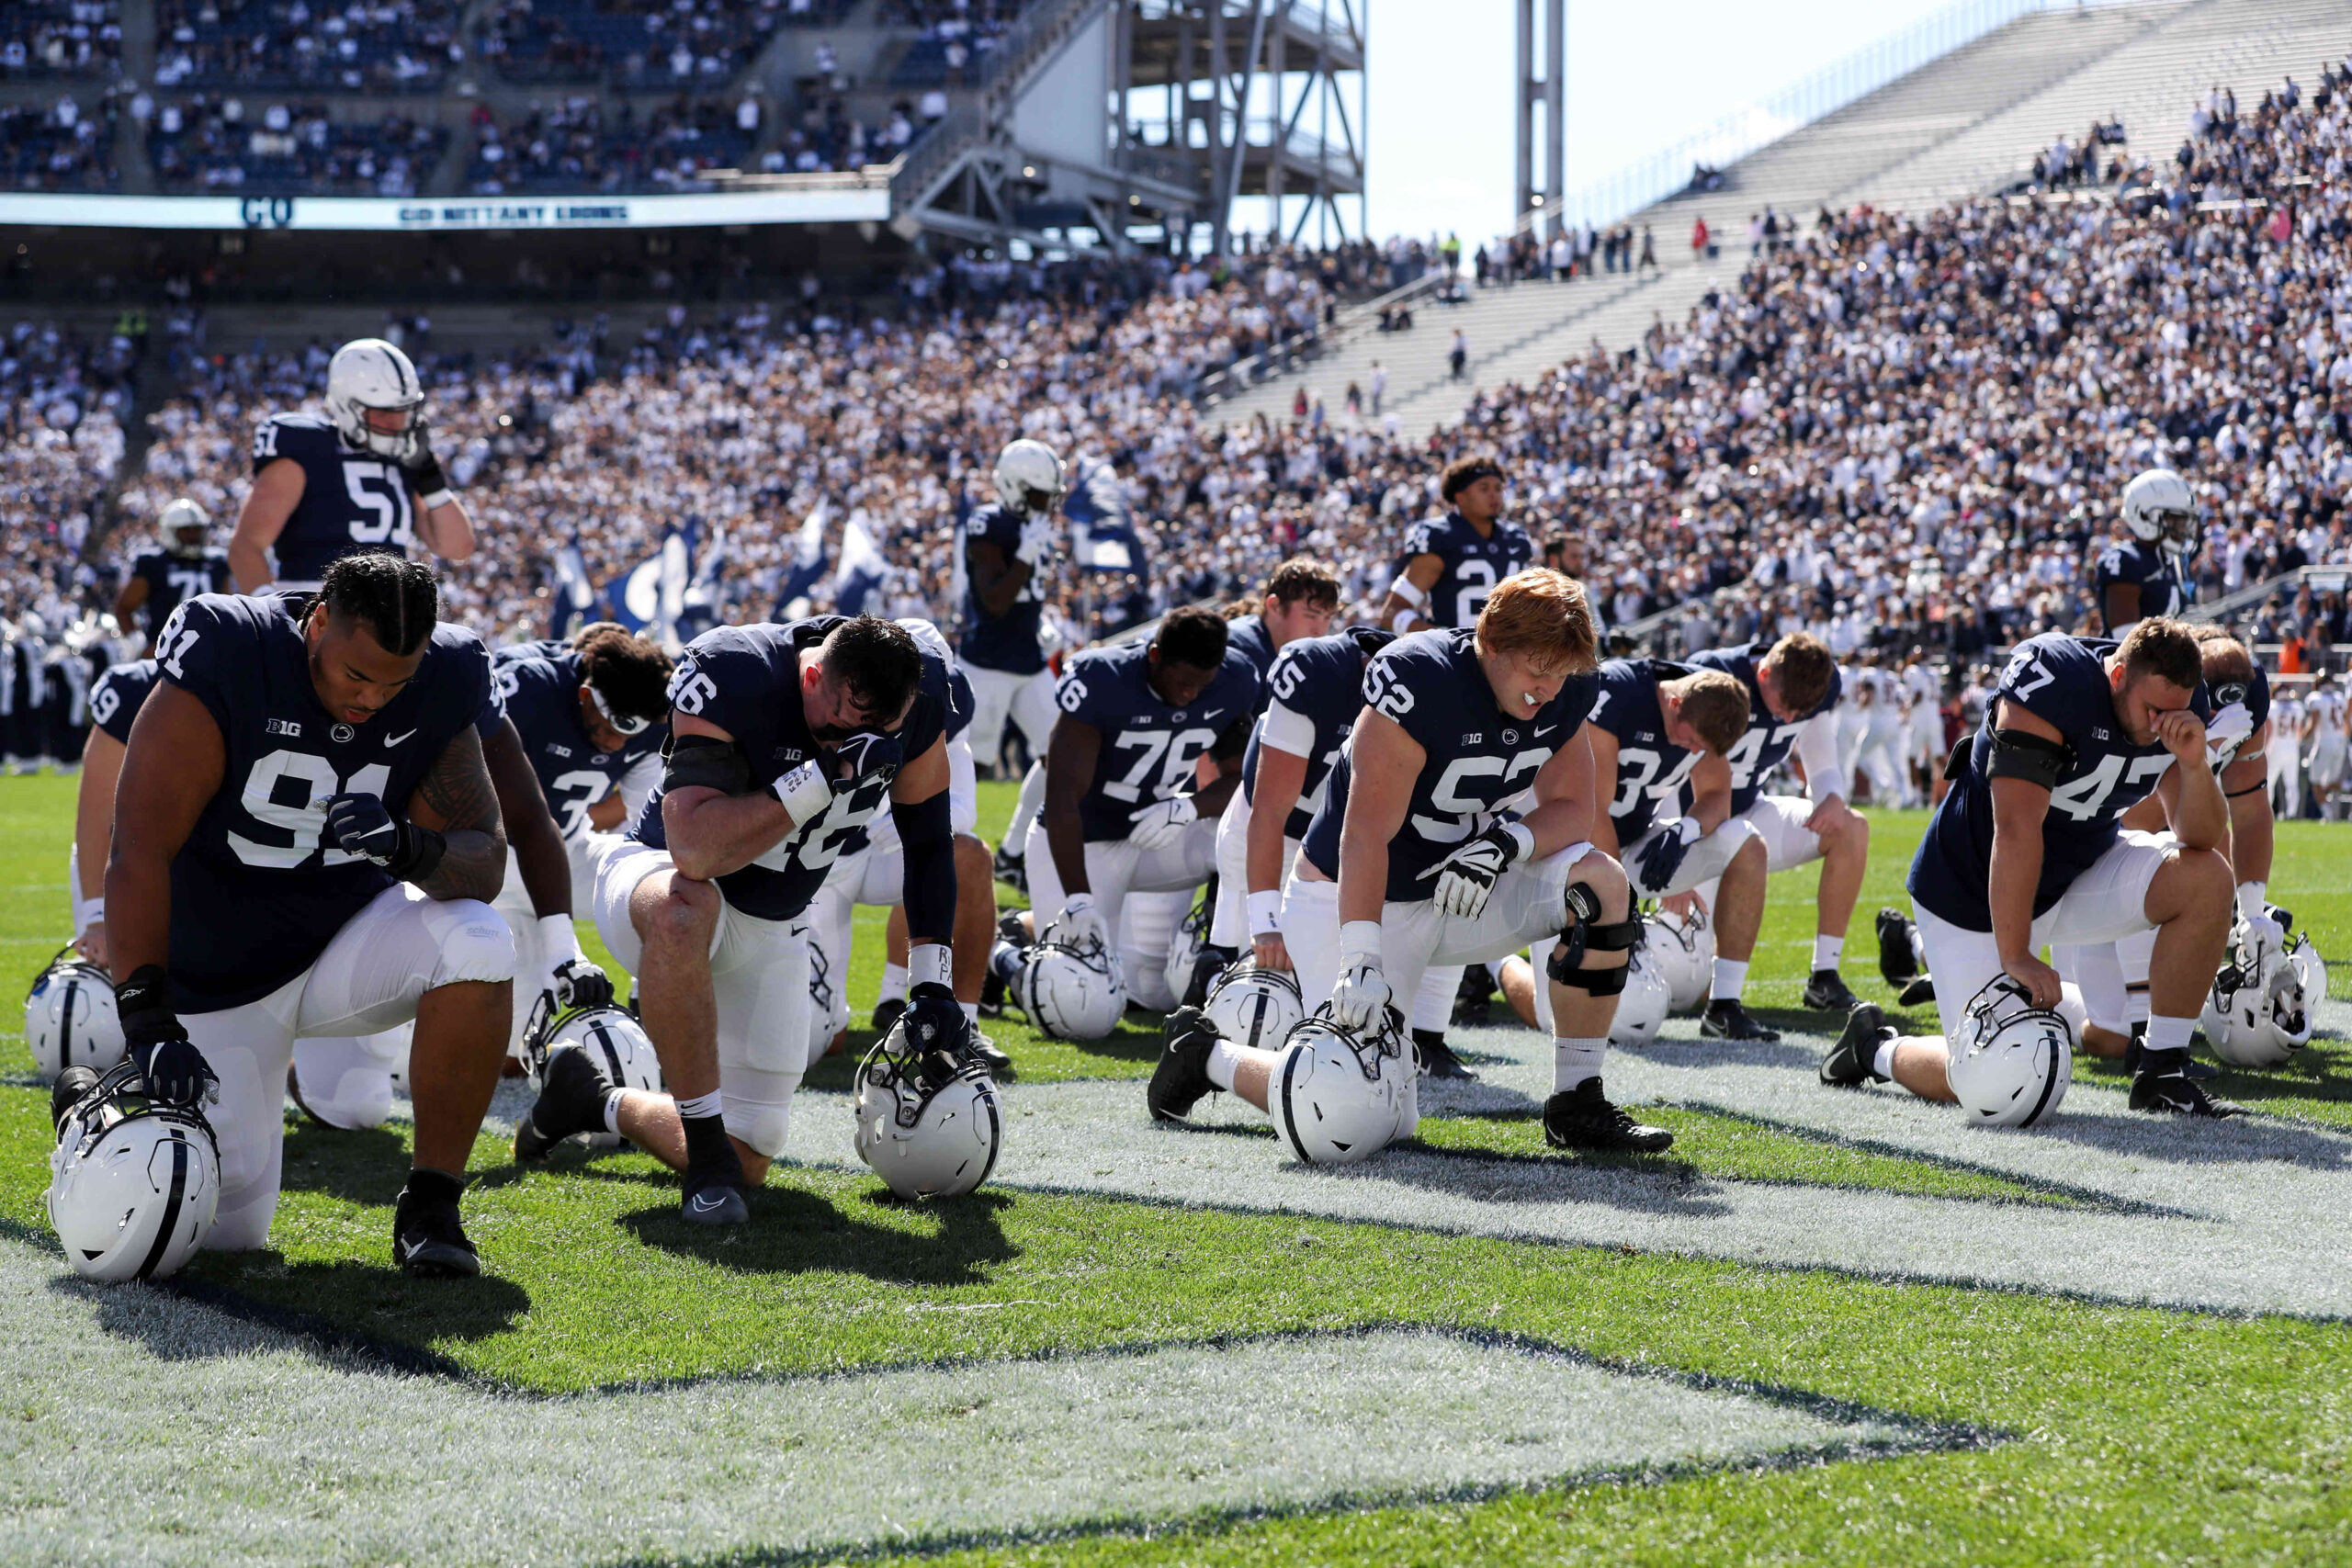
(2029, 850)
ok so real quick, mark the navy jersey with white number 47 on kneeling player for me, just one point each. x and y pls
(2062, 681)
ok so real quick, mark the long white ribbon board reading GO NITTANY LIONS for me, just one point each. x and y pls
(829, 203)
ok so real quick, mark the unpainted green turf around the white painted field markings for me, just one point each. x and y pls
(2127, 1435)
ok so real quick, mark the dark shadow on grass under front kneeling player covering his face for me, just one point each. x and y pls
(799, 1233)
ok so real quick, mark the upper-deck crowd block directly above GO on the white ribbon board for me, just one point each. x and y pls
(269, 147)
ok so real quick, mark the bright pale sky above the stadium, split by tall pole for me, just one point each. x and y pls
(1641, 79)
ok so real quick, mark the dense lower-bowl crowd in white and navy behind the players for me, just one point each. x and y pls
(1897, 431)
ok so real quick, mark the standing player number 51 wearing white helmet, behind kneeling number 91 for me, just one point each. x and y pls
(363, 478)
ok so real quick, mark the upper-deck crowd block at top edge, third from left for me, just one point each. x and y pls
(636, 43)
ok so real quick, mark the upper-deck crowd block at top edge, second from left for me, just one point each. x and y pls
(295, 46)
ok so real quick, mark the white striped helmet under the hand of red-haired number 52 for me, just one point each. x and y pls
(1339, 1094)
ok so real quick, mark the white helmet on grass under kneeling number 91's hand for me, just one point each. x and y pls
(133, 1181)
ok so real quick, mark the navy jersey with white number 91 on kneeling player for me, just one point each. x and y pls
(255, 890)
